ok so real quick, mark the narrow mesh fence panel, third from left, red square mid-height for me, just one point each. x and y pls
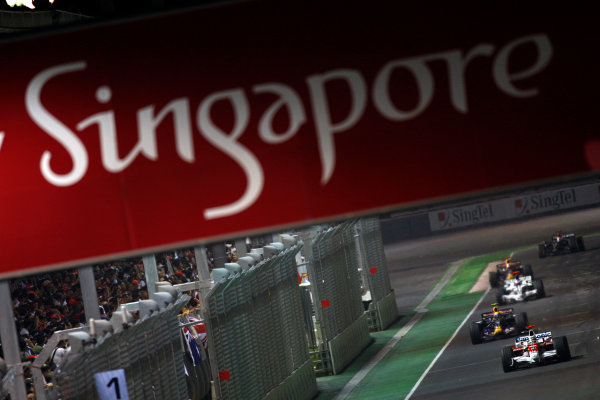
(335, 283)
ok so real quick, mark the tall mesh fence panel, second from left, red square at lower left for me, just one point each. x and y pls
(256, 333)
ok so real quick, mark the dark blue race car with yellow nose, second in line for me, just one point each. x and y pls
(497, 324)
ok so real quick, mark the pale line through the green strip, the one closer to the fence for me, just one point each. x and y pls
(421, 310)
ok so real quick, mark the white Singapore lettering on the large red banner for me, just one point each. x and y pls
(190, 119)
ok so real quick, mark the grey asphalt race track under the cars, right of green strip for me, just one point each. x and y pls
(571, 308)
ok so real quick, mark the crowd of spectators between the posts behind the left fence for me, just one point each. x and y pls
(52, 301)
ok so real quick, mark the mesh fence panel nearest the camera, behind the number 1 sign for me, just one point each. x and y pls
(149, 351)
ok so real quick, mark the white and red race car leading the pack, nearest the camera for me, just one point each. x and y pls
(535, 349)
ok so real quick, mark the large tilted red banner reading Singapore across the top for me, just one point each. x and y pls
(151, 133)
